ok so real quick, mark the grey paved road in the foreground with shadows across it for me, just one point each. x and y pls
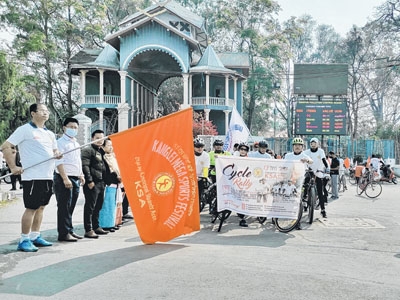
(354, 254)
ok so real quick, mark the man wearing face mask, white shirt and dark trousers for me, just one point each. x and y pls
(67, 180)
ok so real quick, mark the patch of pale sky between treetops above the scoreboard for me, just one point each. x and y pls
(341, 14)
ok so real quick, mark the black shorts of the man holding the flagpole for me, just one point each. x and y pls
(37, 193)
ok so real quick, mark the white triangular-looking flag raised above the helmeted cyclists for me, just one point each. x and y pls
(238, 131)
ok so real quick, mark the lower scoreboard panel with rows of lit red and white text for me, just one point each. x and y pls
(320, 117)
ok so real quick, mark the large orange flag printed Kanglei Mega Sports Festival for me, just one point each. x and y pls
(158, 171)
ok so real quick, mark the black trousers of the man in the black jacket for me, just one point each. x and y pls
(94, 199)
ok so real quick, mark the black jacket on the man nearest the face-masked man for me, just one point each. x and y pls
(93, 165)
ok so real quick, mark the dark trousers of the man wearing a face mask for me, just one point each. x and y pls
(66, 202)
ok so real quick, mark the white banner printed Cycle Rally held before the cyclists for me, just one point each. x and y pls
(259, 187)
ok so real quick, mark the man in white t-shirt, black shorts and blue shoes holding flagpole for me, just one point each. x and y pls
(37, 147)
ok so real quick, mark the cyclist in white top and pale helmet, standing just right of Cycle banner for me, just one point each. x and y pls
(319, 161)
